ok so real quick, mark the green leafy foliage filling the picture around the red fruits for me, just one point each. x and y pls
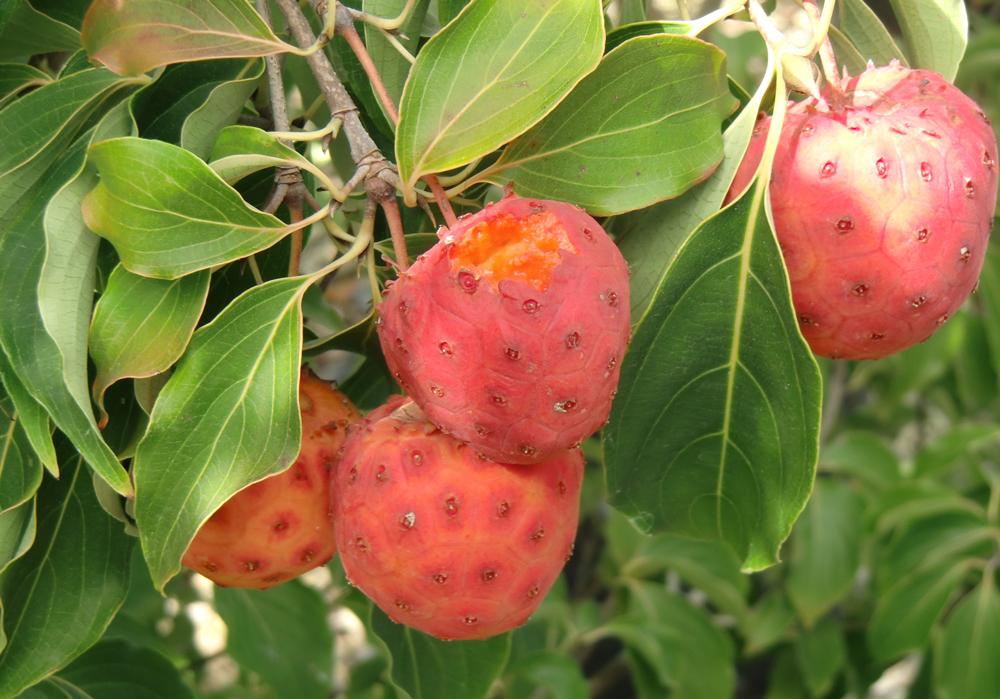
(878, 550)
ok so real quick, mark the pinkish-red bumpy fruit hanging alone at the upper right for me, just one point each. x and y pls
(882, 207)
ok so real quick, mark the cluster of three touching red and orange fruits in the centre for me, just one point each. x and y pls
(456, 508)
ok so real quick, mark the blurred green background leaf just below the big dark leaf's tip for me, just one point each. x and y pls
(709, 566)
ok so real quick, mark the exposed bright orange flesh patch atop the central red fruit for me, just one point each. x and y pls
(505, 247)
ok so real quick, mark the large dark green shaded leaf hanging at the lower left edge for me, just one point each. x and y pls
(61, 596)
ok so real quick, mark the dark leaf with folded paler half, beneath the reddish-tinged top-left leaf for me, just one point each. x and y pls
(191, 102)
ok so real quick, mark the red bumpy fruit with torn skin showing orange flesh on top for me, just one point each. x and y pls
(510, 331)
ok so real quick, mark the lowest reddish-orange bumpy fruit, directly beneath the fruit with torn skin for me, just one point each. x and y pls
(443, 541)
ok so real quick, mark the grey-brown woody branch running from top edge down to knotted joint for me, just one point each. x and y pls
(381, 179)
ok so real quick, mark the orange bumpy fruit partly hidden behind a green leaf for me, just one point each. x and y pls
(280, 527)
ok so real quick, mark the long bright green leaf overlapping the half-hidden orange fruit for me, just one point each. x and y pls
(227, 417)
